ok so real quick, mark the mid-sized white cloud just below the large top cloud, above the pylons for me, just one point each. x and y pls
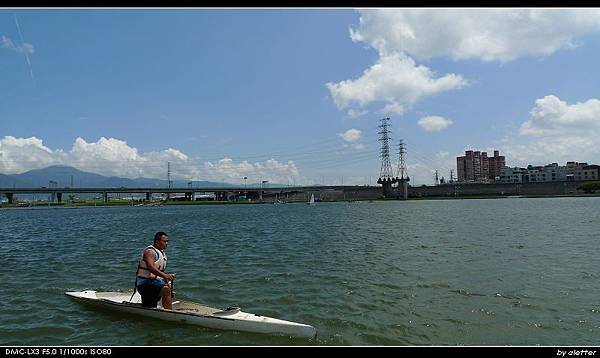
(395, 80)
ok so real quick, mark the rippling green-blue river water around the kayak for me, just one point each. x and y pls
(456, 272)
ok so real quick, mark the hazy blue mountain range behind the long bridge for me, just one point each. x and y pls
(66, 176)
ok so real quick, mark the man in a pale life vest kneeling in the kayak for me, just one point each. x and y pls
(152, 282)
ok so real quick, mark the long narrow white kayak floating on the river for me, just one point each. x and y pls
(196, 314)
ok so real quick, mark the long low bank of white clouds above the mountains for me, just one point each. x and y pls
(114, 157)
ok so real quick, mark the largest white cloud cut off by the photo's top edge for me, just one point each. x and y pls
(486, 34)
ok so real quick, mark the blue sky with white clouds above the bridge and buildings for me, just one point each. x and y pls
(294, 95)
